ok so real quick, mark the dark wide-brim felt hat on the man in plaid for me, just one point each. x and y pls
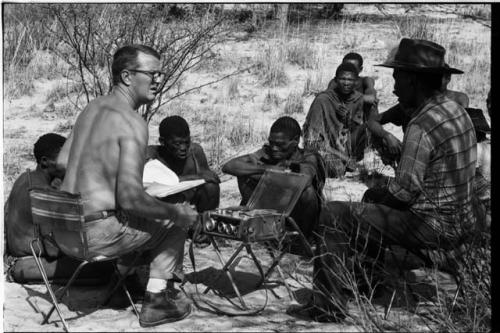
(418, 55)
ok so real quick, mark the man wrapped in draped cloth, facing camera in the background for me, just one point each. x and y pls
(336, 124)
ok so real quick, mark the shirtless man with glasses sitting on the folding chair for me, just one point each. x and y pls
(104, 159)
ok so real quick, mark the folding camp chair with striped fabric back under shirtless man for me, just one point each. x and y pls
(54, 210)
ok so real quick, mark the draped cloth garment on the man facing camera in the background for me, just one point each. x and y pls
(338, 138)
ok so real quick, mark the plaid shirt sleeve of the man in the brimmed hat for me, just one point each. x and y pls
(408, 183)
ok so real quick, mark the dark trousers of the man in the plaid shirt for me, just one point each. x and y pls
(346, 229)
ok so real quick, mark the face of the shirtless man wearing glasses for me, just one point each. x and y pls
(146, 87)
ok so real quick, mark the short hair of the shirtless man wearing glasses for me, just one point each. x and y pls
(126, 57)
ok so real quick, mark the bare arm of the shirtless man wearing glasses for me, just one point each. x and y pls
(130, 194)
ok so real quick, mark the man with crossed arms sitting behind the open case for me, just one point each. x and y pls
(282, 153)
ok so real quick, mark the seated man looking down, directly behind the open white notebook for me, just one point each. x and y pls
(187, 159)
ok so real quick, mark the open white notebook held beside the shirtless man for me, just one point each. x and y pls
(159, 181)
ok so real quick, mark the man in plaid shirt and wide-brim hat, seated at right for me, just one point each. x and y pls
(427, 206)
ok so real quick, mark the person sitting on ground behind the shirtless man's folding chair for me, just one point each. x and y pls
(19, 223)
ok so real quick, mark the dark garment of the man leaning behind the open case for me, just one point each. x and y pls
(307, 208)
